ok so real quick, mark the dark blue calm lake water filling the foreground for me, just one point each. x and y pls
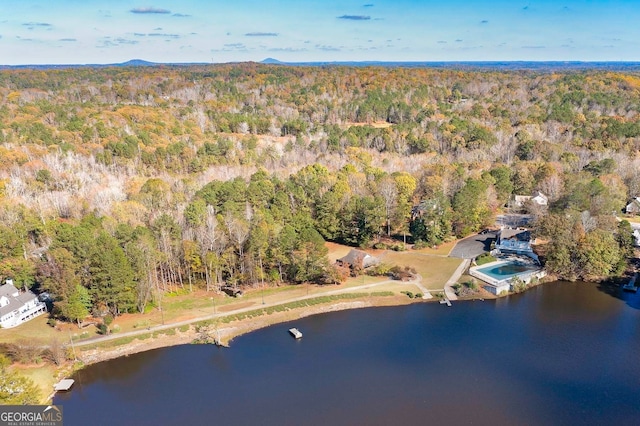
(562, 353)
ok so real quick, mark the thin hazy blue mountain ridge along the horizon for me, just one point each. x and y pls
(469, 65)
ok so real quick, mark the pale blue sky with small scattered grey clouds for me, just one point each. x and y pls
(113, 31)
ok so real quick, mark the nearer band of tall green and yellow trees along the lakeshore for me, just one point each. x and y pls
(267, 230)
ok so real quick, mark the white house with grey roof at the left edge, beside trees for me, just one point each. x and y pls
(17, 307)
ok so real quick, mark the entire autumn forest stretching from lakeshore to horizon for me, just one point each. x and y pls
(119, 184)
